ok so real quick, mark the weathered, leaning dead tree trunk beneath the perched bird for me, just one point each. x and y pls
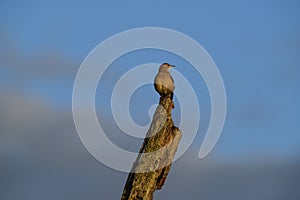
(152, 166)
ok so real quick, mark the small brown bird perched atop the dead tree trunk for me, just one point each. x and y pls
(163, 82)
